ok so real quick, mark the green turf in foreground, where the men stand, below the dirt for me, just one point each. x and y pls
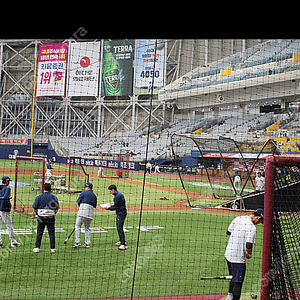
(170, 261)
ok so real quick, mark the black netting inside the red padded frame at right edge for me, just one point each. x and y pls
(284, 271)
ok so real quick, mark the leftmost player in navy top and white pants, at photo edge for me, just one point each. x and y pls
(5, 207)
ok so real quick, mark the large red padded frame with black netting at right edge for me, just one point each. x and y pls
(277, 236)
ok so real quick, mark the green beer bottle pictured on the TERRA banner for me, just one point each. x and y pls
(111, 73)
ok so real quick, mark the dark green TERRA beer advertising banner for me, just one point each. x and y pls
(117, 67)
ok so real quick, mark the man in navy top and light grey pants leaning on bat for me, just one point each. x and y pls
(87, 201)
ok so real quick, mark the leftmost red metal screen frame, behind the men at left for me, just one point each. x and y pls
(28, 158)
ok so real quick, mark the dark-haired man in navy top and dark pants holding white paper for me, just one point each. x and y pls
(121, 211)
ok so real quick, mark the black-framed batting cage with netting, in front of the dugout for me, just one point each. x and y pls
(223, 173)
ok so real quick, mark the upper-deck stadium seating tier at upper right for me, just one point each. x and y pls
(272, 57)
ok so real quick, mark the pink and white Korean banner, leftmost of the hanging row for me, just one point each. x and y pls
(51, 71)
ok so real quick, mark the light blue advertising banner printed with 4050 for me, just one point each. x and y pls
(144, 73)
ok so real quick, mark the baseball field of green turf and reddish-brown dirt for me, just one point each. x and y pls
(170, 245)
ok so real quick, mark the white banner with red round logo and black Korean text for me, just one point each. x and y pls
(84, 60)
